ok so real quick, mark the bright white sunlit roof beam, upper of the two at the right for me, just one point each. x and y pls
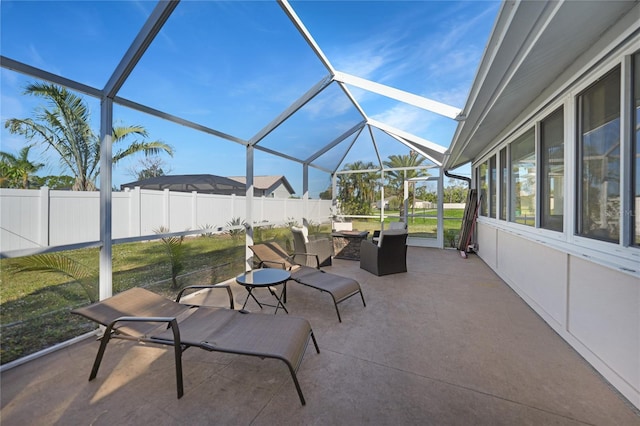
(399, 95)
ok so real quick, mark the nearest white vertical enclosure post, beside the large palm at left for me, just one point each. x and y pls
(106, 160)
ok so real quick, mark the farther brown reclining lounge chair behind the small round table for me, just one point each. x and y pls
(340, 288)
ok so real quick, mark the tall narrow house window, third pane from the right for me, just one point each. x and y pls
(552, 164)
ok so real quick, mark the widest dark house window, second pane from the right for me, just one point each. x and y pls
(599, 160)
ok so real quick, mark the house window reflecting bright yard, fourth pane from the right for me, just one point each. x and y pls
(523, 180)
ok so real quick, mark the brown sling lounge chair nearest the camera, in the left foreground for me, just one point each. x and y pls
(140, 315)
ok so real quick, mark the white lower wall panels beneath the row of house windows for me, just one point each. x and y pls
(593, 307)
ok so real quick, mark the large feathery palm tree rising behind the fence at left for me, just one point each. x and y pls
(63, 125)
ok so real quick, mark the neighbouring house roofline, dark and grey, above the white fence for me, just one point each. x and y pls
(210, 184)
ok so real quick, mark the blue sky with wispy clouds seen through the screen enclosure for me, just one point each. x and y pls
(234, 66)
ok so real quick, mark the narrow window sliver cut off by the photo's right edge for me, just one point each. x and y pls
(635, 175)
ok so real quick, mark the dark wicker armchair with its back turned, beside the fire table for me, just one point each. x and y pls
(388, 255)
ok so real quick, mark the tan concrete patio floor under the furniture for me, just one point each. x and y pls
(447, 343)
